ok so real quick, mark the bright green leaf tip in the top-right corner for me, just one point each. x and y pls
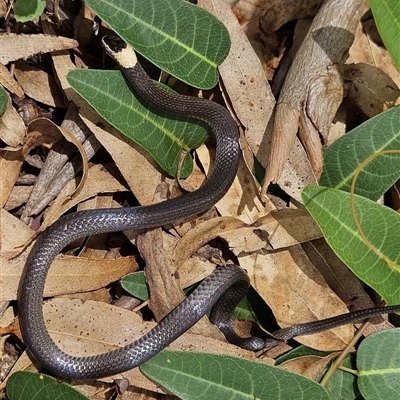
(387, 18)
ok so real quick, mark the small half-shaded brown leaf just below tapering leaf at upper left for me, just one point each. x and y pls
(39, 85)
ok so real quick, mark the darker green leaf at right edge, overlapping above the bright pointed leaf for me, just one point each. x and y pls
(344, 156)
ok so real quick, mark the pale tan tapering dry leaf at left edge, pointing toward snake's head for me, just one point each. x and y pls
(16, 46)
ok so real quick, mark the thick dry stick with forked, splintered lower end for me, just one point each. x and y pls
(313, 90)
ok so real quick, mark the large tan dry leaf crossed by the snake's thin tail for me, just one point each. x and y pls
(297, 293)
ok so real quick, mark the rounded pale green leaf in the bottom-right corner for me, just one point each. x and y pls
(378, 364)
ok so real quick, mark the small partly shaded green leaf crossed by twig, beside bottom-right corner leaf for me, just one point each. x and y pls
(343, 384)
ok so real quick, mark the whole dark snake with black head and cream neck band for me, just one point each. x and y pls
(221, 291)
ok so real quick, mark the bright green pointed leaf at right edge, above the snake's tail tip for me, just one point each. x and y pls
(381, 225)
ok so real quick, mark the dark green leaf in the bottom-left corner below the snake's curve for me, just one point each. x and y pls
(33, 386)
